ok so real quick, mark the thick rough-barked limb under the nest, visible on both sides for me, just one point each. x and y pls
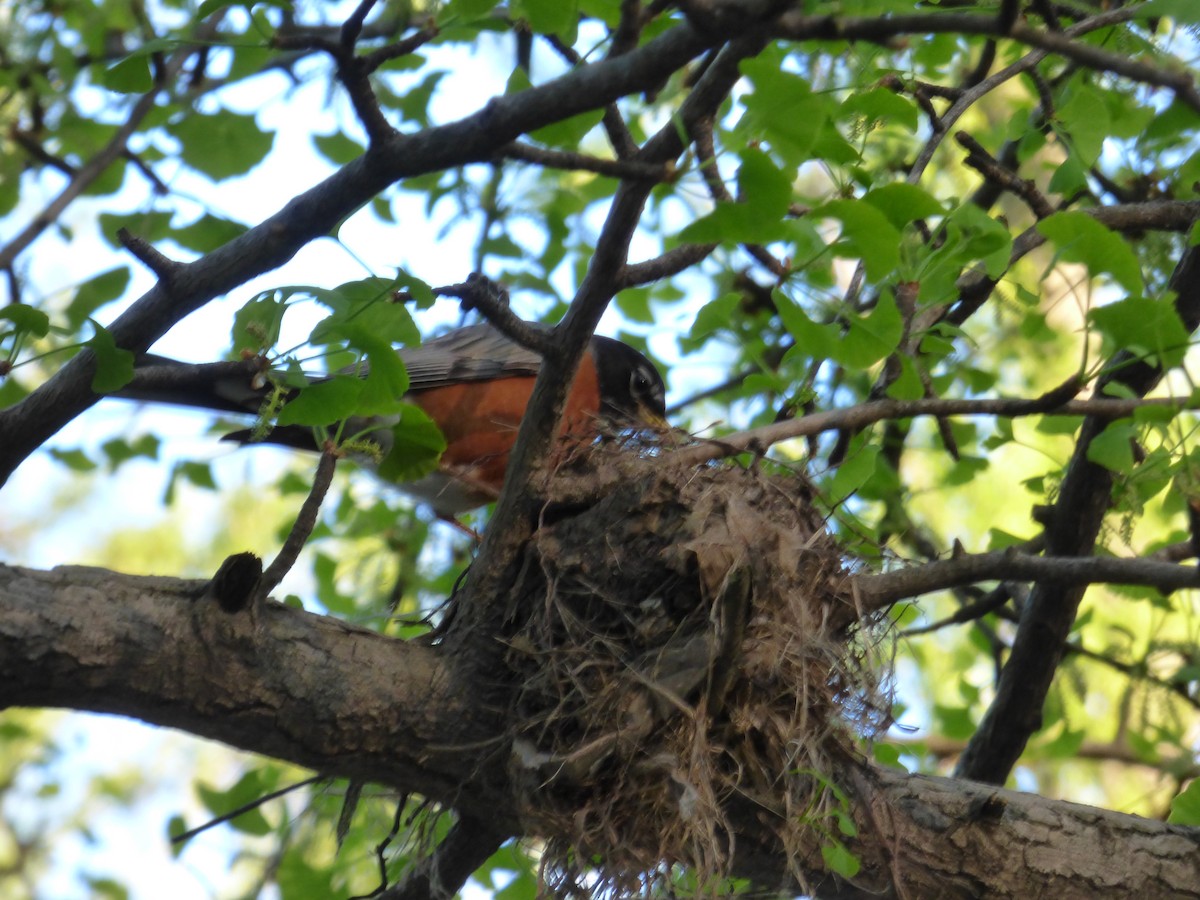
(350, 703)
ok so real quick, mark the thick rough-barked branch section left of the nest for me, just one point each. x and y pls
(310, 689)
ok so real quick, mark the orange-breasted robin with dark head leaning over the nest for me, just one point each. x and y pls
(473, 382)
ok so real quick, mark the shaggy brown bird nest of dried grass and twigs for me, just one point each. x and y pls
(686, 670)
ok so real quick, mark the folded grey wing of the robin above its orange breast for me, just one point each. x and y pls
(467, 355)
